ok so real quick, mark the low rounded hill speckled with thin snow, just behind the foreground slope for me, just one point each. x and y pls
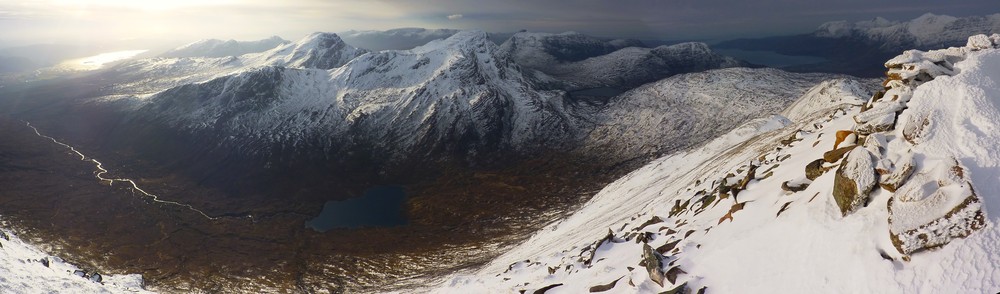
(693, 108)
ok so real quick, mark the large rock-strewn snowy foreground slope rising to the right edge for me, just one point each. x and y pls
(893, 195)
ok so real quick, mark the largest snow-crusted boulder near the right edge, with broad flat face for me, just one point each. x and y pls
(933, 208)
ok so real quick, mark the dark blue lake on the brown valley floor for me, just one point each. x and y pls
(381, 206)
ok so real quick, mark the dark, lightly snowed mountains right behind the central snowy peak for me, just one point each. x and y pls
(586, 62)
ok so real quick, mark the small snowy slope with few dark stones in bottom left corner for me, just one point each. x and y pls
(25, 269)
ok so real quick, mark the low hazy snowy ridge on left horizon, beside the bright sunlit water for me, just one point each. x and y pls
(221, 48)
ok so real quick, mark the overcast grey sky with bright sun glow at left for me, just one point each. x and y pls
(47, 21)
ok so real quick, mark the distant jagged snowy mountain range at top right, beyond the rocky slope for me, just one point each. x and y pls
(924, 32)
